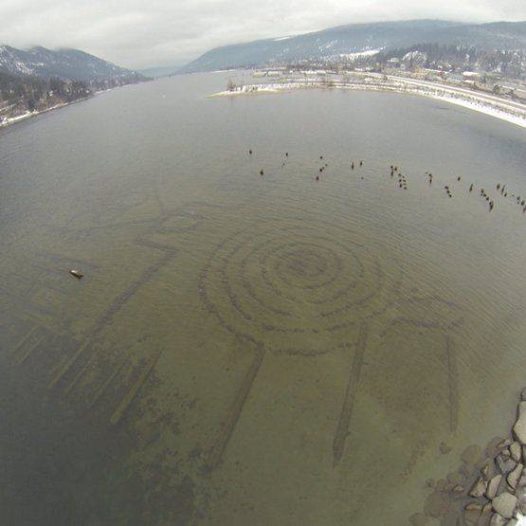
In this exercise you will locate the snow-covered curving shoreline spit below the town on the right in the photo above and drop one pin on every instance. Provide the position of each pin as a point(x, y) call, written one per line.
point(500, 108)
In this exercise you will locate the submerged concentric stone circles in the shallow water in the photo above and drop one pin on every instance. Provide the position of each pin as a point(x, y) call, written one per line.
point(296, 286)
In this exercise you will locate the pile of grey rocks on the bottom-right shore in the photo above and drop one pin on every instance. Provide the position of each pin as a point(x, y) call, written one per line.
point(489, 489)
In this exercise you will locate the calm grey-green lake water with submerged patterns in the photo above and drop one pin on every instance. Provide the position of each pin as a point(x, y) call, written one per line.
point(246, 348)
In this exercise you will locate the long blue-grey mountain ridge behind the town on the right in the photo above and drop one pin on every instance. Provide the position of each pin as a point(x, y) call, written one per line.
point(355, 38)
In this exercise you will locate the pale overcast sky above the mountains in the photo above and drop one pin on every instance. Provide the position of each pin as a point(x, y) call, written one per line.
point(142, 33)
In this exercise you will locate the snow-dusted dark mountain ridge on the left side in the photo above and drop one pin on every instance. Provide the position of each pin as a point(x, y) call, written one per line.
point(65, 64)
